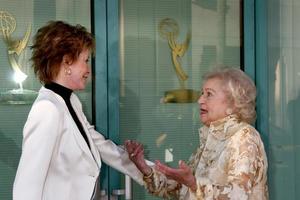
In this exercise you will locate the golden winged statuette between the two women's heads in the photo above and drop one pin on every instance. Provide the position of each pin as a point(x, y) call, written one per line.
point(169, 30)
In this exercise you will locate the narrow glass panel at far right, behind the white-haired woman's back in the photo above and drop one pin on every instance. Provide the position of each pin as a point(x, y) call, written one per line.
point(284, 101)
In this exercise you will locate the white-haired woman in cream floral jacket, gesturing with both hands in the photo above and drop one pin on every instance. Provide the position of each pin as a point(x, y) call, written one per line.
point(230, 162)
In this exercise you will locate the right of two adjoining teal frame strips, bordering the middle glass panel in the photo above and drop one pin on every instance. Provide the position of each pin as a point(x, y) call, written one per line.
point(113, 83)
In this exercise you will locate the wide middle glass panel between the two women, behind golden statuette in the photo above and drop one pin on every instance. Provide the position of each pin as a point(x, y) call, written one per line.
point(151, 32)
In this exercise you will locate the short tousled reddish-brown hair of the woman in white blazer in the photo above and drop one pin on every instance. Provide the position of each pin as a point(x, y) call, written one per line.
point(55, 40)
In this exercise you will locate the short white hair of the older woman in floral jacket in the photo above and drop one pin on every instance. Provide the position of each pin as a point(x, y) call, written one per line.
point(239, 89)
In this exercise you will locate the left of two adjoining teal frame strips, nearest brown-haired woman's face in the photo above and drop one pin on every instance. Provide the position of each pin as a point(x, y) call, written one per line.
point(100, 99)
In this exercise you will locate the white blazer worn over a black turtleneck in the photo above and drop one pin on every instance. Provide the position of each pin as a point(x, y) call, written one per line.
point(56, 163)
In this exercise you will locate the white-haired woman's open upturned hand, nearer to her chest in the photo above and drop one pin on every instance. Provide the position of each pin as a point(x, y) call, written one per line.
point(183, 174)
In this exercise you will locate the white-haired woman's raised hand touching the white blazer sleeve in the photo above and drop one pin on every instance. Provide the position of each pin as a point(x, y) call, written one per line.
point(136, 155)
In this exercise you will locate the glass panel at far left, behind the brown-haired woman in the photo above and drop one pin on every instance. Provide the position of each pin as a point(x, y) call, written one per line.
point(13, 113)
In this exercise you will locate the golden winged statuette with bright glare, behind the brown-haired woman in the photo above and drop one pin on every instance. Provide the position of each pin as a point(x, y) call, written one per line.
point(15, 48)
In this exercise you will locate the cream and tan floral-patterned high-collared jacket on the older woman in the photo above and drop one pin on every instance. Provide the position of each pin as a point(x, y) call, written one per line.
point(230, 163)
